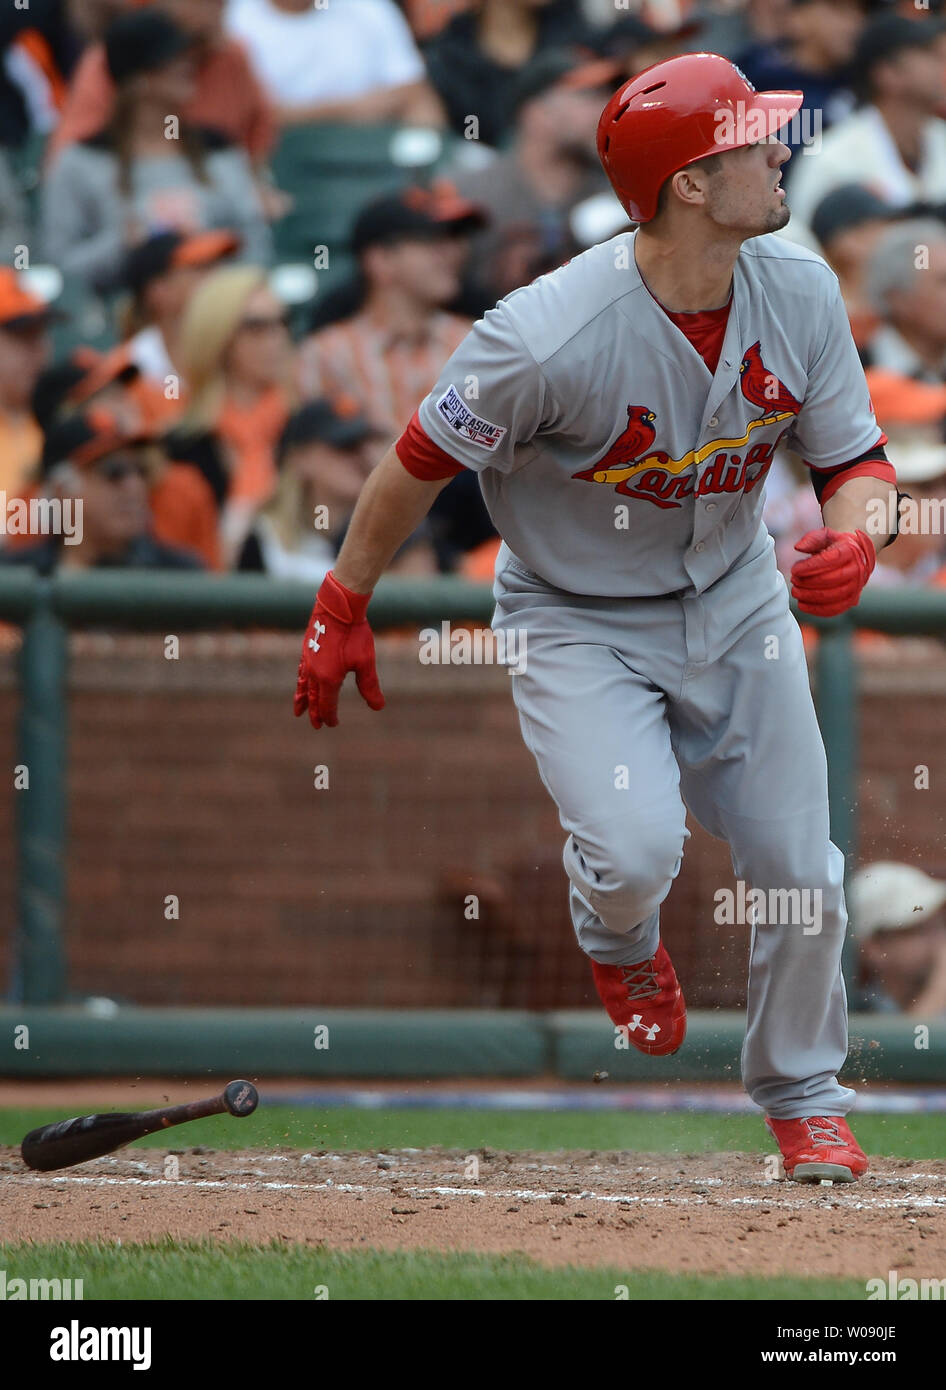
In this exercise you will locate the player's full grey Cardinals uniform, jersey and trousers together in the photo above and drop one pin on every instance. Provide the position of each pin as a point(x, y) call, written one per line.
point(663, 671)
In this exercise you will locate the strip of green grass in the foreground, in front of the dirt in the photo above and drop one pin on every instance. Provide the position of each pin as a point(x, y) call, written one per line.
point(202, 1270)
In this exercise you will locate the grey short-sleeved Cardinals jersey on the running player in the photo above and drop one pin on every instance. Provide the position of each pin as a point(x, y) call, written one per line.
point(612, 461)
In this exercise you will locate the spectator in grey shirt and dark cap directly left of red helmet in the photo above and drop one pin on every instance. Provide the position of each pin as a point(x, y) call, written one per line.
point(551, 167)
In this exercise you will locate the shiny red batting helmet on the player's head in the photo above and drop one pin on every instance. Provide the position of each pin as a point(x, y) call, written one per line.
point(676, 113)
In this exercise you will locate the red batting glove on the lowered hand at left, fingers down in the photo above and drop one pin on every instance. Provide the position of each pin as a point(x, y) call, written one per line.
point(338, 640)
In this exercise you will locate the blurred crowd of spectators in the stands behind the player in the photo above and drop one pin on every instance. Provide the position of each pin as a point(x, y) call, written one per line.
point(216, 398)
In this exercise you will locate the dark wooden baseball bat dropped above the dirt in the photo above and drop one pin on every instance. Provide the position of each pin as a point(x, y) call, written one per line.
point(91, 1136)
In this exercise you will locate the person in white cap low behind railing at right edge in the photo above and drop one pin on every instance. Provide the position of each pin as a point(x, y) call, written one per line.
point(901, 932)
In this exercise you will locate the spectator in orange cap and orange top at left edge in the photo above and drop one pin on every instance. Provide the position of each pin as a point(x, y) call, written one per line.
point(24, 354)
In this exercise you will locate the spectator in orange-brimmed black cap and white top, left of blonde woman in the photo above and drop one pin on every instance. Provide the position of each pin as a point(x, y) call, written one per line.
point(162, 275)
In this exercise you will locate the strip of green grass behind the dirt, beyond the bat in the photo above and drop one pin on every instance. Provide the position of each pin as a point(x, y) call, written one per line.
point(348, 1128)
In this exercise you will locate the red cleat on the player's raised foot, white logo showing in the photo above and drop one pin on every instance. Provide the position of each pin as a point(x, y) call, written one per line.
point(647, 1000)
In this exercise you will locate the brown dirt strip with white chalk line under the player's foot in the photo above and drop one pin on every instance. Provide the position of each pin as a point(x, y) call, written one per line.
point(713, 1214)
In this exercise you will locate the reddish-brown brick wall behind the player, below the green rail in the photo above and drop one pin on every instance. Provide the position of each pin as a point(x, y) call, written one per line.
point(192, 779)
